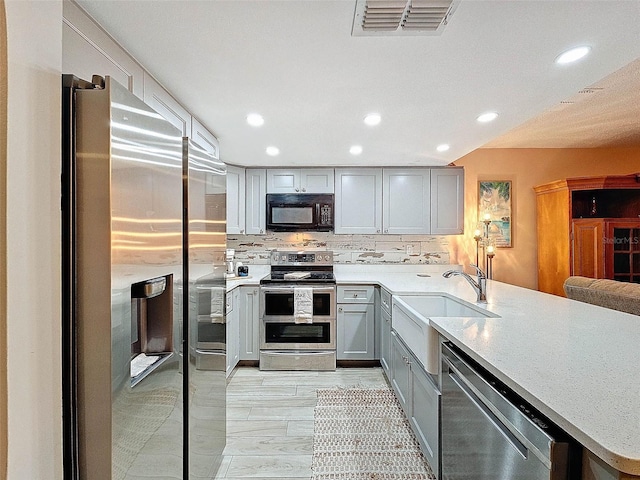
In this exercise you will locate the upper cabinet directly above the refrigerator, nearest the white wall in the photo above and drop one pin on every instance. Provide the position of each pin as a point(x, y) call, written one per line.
point(87, 50)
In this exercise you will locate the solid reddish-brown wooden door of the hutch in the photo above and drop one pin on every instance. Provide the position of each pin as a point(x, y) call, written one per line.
point(588, 248)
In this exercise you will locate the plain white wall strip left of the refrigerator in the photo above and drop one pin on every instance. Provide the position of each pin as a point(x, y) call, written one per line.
point(33, 224)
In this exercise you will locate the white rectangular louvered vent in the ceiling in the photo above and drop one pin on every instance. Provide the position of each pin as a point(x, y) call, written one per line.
point(401, 17)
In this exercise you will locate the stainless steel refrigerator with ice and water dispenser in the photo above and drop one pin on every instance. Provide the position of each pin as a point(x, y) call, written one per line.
point(143, 223)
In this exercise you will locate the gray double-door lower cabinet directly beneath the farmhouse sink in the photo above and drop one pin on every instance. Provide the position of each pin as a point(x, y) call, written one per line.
point(419, 397)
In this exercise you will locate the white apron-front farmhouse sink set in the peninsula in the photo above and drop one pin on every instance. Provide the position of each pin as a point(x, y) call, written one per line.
point(410, 319)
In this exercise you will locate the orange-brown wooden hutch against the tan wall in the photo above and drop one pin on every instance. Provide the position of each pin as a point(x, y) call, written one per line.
point(588, 226)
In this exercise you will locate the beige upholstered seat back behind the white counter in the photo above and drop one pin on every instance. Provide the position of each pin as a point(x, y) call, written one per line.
point(621, 296)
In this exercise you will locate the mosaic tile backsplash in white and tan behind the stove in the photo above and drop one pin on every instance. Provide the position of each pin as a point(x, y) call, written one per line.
point(347, 249)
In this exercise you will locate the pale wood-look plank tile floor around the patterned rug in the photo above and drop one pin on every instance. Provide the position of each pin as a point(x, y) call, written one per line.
point(270, 420)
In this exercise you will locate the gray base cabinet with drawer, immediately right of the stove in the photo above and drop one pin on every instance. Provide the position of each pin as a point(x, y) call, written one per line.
point(355, 322)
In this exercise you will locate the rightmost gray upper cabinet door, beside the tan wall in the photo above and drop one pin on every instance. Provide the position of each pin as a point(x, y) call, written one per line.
point(447, 201)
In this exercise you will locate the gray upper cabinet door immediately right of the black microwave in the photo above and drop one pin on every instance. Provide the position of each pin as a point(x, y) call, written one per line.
point(358, 201)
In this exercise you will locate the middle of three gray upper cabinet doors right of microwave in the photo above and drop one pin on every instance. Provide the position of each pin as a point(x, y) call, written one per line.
point(406, 201)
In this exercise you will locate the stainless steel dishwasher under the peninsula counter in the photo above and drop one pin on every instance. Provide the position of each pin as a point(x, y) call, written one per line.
point(488, 432)
